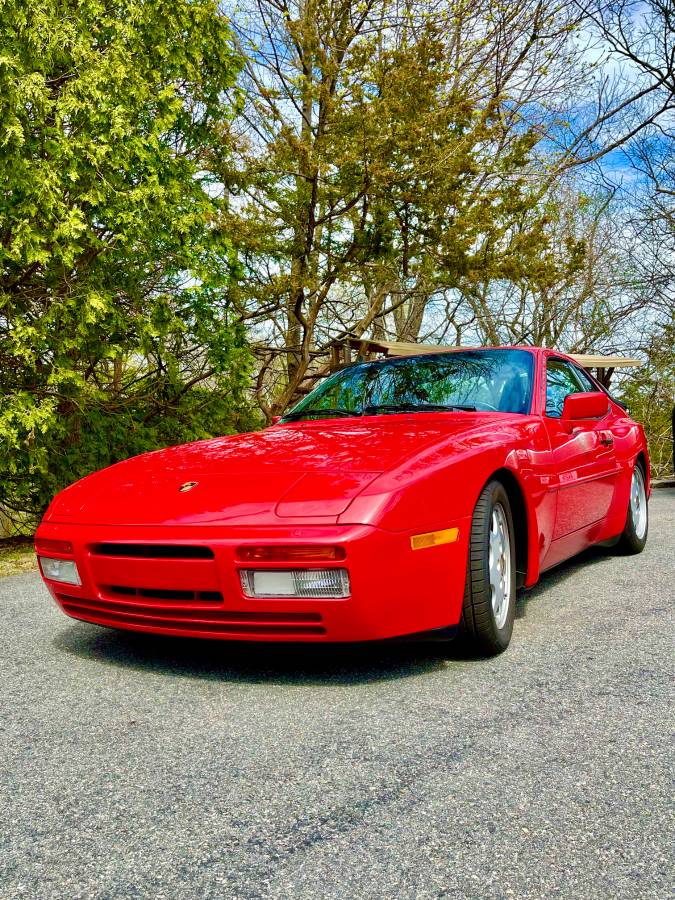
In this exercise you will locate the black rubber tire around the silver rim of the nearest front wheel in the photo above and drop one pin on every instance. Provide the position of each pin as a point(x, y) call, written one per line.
point(479, 628)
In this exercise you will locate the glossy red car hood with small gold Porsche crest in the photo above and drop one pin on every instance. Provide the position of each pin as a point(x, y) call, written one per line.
point(293, 471)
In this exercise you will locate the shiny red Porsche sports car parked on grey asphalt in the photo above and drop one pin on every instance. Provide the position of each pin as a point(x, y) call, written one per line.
point(405, 495)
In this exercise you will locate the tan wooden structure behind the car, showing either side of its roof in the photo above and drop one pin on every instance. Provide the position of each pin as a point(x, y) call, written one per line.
point(349, 350)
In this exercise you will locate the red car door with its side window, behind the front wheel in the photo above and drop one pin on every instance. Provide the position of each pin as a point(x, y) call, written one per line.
point(583, 454)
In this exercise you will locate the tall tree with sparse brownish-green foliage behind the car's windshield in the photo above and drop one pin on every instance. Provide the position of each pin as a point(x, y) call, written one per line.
point(386, 170)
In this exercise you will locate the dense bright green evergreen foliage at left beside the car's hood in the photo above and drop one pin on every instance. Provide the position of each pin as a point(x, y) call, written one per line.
point(115, 336)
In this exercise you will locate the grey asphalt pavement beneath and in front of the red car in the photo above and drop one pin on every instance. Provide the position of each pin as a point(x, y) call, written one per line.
point(134, 766)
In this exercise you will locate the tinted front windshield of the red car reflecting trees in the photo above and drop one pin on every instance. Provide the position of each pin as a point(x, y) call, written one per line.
point(498, 380)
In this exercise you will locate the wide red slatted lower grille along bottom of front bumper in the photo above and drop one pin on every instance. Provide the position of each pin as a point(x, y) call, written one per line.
point(213, 622)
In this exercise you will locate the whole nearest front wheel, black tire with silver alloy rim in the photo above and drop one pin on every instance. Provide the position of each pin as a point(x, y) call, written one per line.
point(489, 602)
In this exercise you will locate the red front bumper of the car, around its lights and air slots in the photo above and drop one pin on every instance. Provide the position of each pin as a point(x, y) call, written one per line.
point(394, 590)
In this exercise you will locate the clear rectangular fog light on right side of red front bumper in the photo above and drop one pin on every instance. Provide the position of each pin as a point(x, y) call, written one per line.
point(303, 583)
